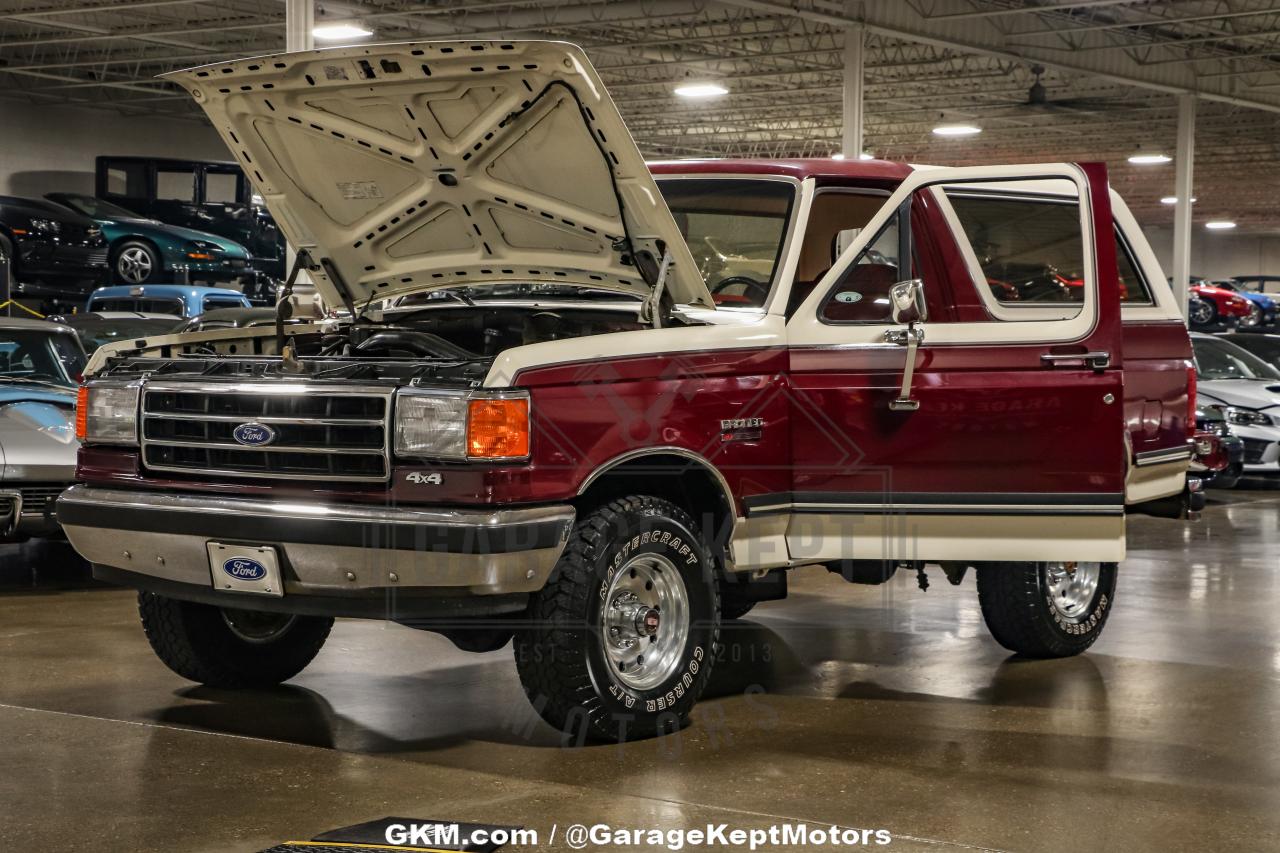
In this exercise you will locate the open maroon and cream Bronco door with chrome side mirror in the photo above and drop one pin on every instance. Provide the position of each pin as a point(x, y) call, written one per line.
point(1017, 450)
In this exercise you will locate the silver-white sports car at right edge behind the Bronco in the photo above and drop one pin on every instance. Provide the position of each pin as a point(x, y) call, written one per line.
point(1249, 390)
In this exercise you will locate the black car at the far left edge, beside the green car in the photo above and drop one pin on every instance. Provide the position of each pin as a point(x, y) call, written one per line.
point(57, 254)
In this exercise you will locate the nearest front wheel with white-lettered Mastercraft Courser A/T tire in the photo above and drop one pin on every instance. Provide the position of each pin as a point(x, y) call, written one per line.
point(634, 581)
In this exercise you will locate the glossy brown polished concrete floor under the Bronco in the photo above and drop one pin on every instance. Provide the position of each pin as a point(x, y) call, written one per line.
point(866, 708)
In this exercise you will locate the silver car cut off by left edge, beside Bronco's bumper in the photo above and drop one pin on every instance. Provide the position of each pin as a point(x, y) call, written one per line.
point(40, 367)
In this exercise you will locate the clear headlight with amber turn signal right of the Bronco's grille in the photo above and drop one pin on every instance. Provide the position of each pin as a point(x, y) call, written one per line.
point(463, 427)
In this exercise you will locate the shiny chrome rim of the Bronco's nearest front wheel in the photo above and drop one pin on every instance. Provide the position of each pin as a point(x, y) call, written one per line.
point(644, 622)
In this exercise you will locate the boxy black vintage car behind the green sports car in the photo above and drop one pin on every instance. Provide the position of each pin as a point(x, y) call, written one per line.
point(203, 195)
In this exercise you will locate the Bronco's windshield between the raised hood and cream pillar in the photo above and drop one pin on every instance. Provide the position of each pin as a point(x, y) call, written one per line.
point(735, 229)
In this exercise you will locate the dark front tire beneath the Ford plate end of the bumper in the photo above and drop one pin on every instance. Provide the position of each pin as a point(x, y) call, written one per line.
point(230, 649)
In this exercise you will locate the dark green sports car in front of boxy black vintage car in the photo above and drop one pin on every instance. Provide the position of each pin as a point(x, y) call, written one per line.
point(145, 252)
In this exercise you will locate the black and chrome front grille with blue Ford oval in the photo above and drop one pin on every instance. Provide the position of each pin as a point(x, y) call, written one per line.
point(319, 434)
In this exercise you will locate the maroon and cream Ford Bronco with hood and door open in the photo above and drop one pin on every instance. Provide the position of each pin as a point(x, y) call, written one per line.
point(600, 407)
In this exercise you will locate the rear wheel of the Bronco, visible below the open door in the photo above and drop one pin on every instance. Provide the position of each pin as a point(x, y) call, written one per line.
point(1026, 605)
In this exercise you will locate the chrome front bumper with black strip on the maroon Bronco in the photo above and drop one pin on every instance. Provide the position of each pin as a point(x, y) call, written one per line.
point(326, 550)
